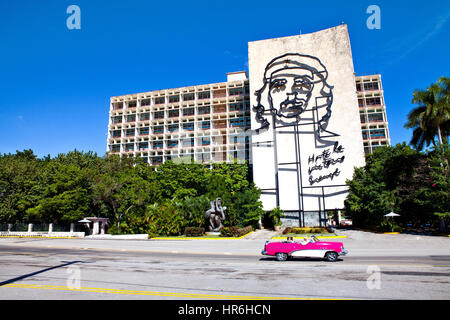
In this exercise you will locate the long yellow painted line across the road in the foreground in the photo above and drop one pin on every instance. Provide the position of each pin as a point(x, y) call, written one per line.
point(155, 293)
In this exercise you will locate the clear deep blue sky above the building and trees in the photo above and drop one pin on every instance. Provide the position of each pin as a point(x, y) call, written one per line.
point(55, 83)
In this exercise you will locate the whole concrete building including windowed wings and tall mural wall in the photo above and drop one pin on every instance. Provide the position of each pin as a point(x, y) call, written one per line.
point(301, 118)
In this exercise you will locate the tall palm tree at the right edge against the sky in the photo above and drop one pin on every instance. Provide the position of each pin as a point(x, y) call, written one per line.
point(432, 116)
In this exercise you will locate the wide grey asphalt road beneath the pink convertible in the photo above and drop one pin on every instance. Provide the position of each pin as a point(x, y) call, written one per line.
point(114, 269)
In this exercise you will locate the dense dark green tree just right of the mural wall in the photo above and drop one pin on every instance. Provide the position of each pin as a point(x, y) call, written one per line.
point(392, 179)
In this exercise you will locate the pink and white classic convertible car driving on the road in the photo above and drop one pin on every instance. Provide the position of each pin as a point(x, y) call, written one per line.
point(312, 248)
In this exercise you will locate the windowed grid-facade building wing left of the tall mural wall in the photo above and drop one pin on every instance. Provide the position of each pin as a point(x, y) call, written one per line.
point(202, 123)
